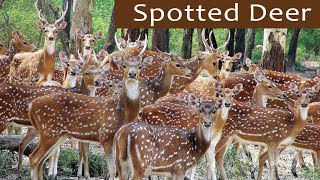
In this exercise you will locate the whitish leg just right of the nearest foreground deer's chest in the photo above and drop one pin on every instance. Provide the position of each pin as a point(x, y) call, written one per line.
point(211, 162)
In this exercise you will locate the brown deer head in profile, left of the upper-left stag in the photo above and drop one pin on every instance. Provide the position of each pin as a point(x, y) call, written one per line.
point(20, 44)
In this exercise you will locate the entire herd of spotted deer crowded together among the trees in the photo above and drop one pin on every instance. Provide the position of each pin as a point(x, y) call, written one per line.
point(151, 111)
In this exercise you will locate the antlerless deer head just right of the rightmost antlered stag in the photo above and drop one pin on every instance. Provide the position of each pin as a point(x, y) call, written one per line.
point(227, 64)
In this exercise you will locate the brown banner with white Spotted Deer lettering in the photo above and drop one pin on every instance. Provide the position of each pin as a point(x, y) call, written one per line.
point(217, 13)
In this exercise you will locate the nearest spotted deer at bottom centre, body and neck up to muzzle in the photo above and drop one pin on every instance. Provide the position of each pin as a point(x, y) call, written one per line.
point(145, 149)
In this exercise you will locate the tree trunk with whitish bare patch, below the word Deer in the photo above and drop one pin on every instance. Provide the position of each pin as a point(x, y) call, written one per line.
point(274, 43)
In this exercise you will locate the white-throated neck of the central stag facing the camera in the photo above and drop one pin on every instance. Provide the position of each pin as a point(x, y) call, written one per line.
point(130, 100)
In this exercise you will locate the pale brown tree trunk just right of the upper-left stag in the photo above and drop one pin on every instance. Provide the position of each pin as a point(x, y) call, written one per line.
point(81, 18)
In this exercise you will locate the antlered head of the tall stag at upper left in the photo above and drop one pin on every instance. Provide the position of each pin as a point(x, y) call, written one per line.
point(51, 30)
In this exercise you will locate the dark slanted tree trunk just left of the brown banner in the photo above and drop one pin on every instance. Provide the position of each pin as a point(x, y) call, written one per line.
point(110, 43)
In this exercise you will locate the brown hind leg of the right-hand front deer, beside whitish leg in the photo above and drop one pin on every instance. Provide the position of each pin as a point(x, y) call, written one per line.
point(222, 148)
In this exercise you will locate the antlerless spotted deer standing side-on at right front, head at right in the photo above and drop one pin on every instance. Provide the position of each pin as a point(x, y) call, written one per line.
point(270, 127)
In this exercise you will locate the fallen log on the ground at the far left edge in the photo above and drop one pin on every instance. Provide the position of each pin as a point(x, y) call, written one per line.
point(11, 143)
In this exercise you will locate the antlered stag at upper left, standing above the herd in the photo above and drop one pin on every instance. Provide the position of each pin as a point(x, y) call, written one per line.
point(40, 63)
